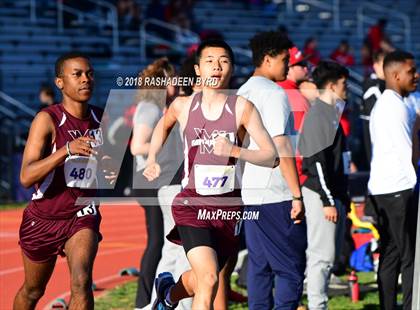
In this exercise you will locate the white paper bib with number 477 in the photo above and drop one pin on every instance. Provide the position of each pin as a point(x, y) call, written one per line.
point(214, 179)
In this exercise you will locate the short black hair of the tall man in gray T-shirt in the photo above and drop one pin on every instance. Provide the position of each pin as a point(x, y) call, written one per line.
point(269, 43)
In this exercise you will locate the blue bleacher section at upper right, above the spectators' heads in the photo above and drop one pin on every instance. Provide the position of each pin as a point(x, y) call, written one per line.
point(307, 18)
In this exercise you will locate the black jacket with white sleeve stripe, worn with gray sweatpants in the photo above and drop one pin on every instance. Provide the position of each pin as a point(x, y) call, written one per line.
point(323, 147)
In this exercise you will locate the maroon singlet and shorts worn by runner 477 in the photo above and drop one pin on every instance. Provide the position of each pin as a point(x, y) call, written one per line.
point(198, 137)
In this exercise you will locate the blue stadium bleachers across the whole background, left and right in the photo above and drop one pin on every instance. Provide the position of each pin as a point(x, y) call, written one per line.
point(31, 38)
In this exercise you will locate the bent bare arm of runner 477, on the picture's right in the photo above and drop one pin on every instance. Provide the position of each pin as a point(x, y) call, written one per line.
point(250, 118)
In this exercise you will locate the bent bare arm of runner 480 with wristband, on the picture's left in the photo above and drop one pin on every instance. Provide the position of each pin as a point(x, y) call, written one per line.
point(34, 166)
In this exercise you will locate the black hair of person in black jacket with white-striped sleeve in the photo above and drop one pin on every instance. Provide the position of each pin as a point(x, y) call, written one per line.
point(328, 71)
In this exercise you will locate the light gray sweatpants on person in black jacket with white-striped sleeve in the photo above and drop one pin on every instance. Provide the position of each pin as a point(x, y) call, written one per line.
point(324, 242)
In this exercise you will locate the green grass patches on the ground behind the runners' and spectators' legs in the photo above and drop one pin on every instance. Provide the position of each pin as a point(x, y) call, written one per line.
point(122, 297)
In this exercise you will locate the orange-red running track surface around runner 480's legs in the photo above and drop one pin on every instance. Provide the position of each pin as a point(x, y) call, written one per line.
point(124, 240)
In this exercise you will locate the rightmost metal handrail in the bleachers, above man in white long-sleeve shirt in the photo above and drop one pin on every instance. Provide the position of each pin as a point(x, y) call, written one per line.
point(362, 19)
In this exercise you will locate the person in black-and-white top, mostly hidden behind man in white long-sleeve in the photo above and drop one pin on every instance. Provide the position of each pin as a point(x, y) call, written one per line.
point(373, 87)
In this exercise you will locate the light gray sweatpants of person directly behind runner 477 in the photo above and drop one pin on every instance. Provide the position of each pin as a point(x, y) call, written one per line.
point(173, 258)
